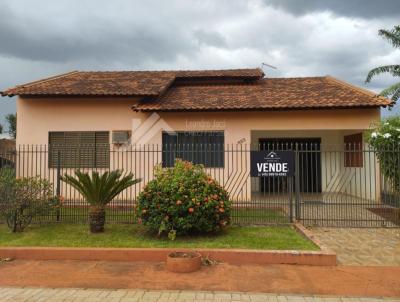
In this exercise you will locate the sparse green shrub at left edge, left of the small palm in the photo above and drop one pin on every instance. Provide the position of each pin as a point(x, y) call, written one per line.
point(24, 198)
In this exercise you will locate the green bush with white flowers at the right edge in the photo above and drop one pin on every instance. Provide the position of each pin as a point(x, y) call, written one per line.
point(384, 137)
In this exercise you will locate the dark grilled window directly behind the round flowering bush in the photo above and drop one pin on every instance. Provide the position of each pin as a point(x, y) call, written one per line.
point(203, 147)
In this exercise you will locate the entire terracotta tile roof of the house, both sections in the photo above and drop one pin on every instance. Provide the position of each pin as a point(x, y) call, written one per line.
point(192, 90)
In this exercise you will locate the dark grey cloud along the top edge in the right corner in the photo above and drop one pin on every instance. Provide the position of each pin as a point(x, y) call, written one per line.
point(354, 8)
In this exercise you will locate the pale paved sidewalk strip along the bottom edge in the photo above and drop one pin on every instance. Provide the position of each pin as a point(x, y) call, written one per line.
point(122, 295)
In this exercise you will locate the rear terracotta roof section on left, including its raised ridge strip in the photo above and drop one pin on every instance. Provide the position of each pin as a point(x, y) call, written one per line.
point(124, 83)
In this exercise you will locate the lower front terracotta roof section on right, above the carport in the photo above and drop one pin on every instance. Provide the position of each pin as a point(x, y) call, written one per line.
point(269, 93)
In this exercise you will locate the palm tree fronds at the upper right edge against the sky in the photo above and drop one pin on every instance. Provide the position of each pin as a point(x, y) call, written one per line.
point(393, 36)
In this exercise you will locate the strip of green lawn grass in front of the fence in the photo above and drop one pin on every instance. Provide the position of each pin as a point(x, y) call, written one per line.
point(133, 235)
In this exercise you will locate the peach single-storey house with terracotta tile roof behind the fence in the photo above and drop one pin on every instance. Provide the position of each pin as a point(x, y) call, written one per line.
point(78, 114)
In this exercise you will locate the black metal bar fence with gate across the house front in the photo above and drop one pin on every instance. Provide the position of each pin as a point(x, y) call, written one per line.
point(338, 186)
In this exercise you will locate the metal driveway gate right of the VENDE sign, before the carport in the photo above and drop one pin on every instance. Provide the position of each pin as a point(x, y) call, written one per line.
point(355, 192)
